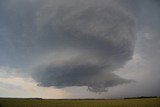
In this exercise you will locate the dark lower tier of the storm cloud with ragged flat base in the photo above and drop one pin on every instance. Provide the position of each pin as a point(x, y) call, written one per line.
point(78, 71)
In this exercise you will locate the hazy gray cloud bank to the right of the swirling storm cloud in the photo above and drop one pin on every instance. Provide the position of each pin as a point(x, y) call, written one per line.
point(147, 46)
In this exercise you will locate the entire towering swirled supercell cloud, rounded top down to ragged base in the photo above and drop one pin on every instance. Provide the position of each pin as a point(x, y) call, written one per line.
point(92, 39)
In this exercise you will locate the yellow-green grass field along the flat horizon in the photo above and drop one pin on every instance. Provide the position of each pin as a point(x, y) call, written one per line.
point(148, 102)
